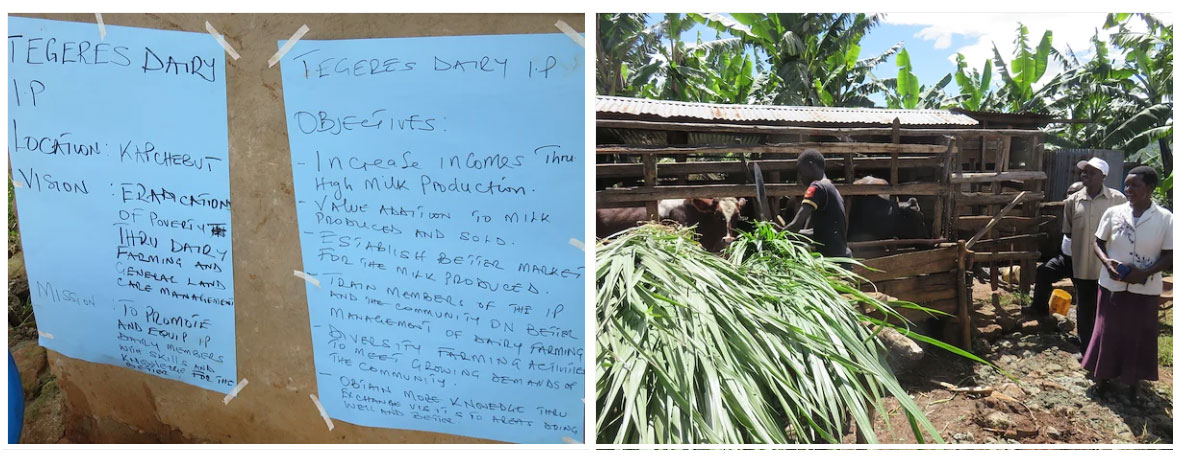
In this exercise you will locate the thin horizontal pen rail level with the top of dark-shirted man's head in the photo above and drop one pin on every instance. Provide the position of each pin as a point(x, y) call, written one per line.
point(777, 149)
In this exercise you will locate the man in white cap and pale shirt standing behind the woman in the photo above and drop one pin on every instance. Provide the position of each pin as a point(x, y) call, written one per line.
point(1083, 212)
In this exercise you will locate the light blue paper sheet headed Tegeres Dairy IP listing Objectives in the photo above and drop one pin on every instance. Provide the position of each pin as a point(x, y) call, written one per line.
point(438, 184)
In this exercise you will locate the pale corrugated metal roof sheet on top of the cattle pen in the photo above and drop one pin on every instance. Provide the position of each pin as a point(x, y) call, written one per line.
point(709, 112)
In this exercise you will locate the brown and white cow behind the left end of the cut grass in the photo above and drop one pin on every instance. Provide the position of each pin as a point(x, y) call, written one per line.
point(714, 219)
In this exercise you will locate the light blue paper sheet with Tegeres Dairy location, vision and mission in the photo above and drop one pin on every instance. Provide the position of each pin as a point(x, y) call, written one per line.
point(120, 160)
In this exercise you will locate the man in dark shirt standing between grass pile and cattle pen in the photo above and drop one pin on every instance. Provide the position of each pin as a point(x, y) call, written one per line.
point(823, 205)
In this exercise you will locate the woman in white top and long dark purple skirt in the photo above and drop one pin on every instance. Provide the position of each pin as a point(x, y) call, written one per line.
point(1135, 245)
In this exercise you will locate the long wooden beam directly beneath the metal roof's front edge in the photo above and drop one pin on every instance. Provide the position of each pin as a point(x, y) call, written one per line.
point(801, 131)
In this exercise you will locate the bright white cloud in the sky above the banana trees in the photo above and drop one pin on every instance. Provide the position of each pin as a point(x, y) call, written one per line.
point(982, 32)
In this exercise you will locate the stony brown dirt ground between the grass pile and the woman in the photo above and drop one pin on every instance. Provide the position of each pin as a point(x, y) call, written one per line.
point(1049, 400)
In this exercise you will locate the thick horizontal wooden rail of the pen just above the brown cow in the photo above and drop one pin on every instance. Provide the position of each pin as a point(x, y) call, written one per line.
point(609, 197)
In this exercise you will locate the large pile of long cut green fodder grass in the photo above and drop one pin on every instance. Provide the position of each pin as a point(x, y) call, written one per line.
point(767, 347)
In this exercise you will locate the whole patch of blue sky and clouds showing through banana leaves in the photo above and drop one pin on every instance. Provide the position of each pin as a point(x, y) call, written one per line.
point(934, 39)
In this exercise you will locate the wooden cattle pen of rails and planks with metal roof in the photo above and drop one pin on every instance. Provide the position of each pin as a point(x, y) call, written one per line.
point(962, 174)
